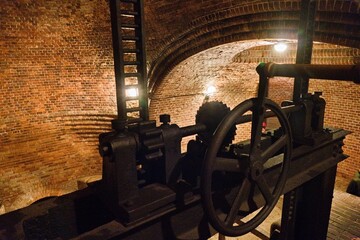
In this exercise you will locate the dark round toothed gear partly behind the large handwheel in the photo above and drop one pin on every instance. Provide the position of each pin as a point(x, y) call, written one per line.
point(211, 114)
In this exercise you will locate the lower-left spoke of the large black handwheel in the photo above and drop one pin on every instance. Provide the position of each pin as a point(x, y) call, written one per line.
point(240, 197)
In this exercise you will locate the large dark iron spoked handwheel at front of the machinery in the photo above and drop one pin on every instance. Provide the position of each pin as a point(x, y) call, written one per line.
point(240, 190)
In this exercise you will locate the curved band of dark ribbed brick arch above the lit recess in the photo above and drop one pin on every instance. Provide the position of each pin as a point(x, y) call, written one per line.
point(337, 22)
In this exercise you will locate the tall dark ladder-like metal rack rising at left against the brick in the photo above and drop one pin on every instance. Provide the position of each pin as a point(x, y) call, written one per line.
point(129, 62)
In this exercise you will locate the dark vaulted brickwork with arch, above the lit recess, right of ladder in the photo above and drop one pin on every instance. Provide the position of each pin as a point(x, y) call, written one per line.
point(176, 30)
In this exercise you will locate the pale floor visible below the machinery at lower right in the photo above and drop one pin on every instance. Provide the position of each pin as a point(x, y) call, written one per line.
point(344, 219)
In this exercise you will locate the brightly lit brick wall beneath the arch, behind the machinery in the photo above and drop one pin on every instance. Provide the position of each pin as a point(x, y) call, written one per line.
point(235, 79)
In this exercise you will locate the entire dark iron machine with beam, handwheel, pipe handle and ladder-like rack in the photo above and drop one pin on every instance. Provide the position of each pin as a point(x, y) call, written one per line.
point(151, 190)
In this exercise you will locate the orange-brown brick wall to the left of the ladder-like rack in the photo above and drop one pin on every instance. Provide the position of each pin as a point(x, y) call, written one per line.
point(57, 95)
